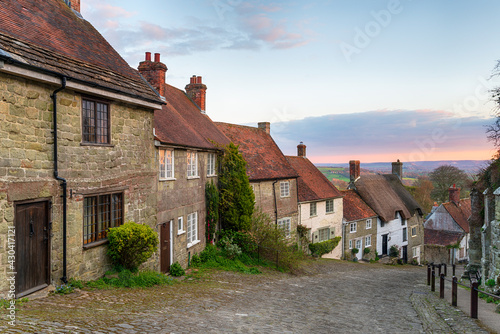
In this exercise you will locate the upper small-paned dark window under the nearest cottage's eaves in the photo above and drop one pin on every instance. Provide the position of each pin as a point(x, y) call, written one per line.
point(95, 122)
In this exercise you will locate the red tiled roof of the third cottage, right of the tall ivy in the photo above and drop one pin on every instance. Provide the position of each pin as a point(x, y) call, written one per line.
point(265, 161)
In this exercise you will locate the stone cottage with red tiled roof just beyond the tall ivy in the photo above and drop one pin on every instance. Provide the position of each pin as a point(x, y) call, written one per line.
point(273, 179)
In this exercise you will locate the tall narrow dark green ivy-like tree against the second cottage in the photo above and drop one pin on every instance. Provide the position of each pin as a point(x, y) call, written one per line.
point(236, 196)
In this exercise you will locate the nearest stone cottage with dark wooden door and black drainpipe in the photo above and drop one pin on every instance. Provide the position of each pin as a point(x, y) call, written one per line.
point(77, 151)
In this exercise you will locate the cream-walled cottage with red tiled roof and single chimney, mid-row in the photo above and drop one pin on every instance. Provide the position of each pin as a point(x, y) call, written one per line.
point(320, 202)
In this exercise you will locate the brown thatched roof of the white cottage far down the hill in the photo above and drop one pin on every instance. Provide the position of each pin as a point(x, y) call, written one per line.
point(379, 194)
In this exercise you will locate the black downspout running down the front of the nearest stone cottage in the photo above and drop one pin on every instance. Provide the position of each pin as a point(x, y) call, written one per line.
point(63, 184)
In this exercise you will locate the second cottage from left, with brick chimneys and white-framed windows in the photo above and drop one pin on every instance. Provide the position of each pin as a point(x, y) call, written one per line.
point(187, 145)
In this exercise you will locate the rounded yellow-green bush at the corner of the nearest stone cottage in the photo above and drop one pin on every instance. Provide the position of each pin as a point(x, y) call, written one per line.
point(131, 244)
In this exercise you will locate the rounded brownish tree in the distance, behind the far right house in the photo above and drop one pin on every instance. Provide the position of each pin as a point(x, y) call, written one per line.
point(443, 178)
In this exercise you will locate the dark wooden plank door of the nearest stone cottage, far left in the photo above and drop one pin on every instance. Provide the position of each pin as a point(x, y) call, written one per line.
point(32, 247)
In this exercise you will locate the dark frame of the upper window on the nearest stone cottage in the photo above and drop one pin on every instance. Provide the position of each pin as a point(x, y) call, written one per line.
point(94, 118)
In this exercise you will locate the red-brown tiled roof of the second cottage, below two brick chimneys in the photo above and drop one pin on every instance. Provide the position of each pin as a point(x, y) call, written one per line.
point(180, 122)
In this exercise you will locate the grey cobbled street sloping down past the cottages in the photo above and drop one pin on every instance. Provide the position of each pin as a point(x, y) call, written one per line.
point(327, 297)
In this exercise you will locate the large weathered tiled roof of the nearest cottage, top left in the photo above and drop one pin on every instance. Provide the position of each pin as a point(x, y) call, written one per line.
point(50, 36)
